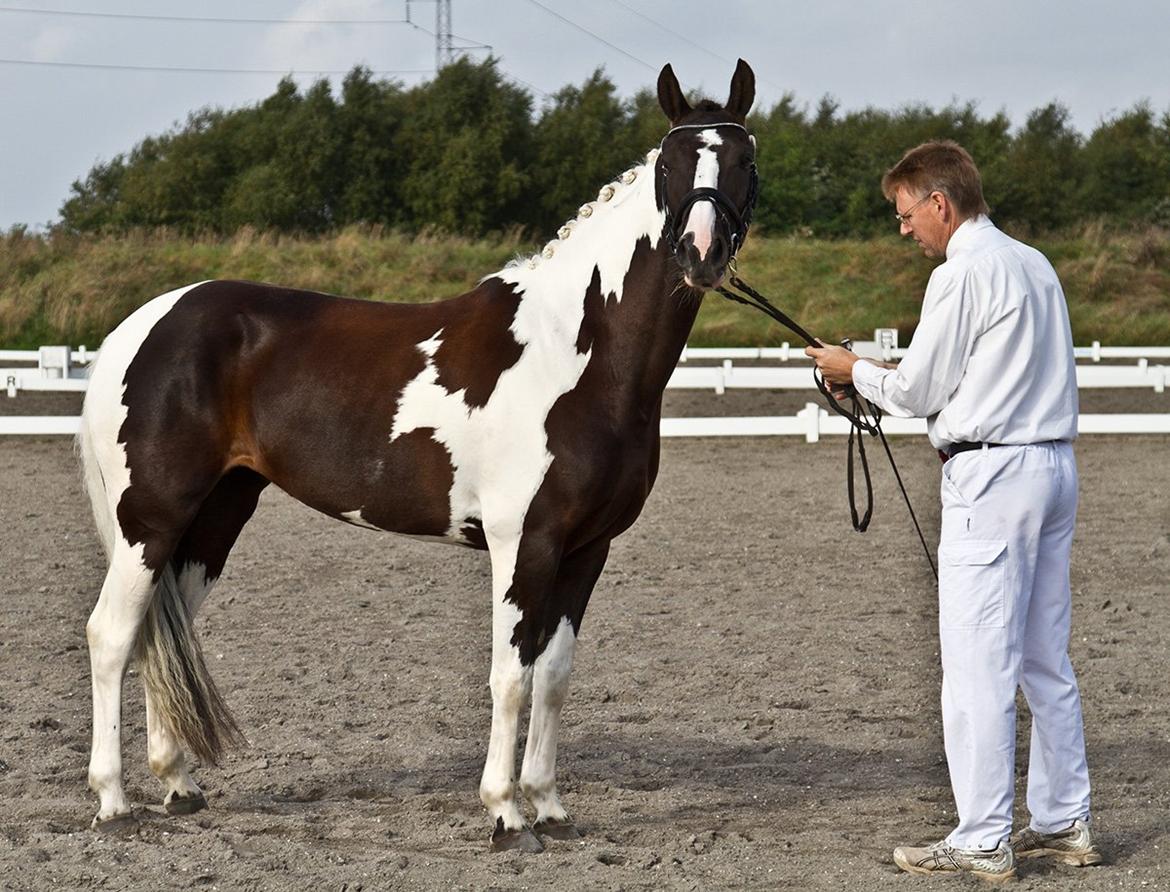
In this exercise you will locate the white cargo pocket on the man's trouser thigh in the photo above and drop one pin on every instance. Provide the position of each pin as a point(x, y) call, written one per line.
point(972, 584)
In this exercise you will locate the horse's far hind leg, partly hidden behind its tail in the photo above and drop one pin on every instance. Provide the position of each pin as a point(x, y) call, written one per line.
point(195, 568)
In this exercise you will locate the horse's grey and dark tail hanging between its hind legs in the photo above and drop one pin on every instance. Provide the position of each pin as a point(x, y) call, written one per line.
point(173, 667)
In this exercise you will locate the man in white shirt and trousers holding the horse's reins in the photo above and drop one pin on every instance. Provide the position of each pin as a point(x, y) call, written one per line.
point(992, 369)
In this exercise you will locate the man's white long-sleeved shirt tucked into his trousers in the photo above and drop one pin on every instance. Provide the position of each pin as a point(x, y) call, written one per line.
point(992, 360)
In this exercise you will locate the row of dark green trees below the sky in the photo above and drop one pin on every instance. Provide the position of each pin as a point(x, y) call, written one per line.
point(469, 153)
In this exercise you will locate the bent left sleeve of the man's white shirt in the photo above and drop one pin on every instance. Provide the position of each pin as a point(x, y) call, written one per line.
point(937, 360)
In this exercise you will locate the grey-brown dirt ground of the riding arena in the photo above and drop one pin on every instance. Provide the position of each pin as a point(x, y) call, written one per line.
point(755, 702)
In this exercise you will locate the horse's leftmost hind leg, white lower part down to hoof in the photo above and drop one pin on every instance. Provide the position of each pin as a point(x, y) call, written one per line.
point(112, 633)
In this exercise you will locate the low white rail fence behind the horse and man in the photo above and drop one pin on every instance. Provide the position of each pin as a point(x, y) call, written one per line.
point(61, 369)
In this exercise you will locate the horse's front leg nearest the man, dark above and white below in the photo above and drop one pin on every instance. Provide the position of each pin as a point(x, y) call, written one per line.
point(575, 581)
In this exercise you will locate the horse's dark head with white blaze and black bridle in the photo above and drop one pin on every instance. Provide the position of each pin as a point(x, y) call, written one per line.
point(707, 177)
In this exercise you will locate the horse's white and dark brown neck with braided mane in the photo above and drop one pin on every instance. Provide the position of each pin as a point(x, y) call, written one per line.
point(607, 284)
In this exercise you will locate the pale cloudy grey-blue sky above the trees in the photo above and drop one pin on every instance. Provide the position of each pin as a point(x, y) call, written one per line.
point(88, 99)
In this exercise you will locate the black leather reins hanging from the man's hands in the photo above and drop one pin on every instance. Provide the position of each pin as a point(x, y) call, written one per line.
point(864, 417)
